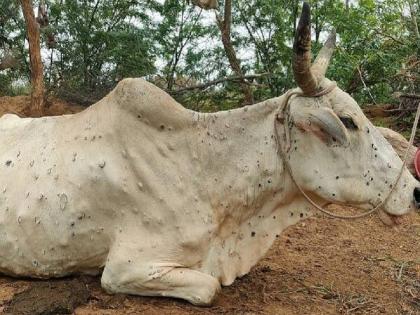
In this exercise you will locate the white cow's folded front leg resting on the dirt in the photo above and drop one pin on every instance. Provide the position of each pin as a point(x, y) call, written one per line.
point(159, 279)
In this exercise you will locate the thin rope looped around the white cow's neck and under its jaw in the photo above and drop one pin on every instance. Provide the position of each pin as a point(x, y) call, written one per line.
point(327, 90)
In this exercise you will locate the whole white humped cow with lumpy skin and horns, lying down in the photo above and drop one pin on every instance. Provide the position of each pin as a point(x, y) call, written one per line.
point(165, 201)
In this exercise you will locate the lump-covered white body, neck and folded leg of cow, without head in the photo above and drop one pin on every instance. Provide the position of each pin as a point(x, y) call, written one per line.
point(168, 201)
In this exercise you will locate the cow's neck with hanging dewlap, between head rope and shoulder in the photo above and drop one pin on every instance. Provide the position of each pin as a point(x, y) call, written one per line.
point(251, 196)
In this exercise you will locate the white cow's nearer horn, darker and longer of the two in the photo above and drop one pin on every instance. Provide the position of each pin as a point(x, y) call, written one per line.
point(304, 77)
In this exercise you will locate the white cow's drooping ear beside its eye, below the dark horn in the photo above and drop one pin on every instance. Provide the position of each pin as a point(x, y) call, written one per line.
point(323, 123)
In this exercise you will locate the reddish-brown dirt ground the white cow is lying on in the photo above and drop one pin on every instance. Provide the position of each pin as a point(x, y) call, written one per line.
point(319, 266)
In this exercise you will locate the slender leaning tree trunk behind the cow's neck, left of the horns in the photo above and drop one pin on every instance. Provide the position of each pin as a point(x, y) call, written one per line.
point(225, 28)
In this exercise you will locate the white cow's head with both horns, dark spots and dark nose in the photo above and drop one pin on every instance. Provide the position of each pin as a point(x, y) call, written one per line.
point(334, 150)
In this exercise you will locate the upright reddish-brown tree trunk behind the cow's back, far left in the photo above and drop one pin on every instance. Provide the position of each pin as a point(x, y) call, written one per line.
point(37, 75)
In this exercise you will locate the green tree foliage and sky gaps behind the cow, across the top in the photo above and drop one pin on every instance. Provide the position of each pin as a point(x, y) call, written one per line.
point(177, 45)
